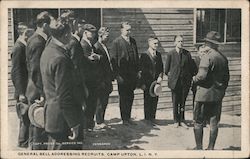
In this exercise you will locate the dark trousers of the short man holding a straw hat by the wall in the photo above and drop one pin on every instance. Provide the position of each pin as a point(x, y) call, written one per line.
point(150, 105)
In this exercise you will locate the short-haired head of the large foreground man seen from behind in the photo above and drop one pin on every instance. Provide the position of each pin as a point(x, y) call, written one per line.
point(59, 28)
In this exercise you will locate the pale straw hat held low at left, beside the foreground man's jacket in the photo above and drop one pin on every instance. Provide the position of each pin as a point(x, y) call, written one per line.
point(36, 115)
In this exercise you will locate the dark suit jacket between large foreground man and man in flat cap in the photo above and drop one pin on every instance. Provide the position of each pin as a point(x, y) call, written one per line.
point(76, 56)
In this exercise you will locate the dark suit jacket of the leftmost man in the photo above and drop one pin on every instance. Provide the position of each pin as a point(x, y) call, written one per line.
point(19, 72)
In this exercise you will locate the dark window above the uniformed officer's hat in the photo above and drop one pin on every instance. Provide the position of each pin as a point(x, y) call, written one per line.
point(225, 21)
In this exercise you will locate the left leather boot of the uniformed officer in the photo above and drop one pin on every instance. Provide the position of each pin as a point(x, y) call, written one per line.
point(198, 134)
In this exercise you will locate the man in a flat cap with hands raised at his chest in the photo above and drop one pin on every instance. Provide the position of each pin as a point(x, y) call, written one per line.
point(91, 68)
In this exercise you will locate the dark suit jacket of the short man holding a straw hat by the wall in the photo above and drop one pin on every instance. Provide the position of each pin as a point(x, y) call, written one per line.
point(151, 67)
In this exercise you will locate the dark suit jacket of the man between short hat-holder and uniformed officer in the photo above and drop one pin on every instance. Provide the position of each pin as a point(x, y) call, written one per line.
point(179, 68)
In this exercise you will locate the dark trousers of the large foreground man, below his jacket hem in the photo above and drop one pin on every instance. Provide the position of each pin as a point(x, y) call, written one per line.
point(60, 141)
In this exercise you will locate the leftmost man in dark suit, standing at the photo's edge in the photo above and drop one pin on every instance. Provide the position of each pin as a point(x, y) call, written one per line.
point(19, 76)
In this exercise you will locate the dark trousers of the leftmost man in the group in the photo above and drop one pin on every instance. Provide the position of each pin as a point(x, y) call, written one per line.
point(23, 136)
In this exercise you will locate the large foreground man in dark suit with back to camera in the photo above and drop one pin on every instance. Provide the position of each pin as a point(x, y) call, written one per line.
point(63, 113)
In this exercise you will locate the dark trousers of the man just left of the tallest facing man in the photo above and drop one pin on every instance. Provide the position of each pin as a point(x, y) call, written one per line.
point(101, 107)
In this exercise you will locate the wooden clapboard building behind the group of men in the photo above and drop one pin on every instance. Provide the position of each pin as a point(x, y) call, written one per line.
point(193, 24)
